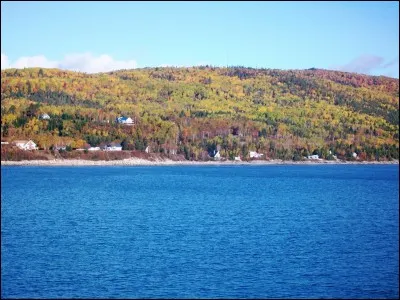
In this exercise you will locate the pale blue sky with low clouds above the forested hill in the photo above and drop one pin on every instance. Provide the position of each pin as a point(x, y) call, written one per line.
point(91, 37)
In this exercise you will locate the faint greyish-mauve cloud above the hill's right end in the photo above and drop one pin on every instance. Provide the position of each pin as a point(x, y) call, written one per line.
point(366, 64)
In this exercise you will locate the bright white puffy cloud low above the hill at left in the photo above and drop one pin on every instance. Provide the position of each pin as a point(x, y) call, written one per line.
point(83, 62)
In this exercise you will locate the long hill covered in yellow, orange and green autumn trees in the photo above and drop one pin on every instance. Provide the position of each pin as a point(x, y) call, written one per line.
point(194, 111)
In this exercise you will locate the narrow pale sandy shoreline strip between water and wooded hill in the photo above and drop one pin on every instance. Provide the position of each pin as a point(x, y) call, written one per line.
point(167, 162)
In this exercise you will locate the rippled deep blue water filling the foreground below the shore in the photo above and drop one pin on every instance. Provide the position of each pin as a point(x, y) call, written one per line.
point(325, 231)
